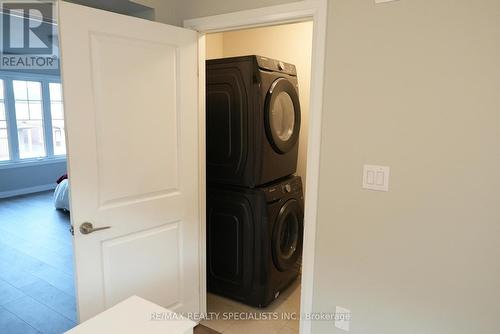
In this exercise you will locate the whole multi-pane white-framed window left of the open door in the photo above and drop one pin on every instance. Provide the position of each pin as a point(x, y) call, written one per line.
point(31, 119)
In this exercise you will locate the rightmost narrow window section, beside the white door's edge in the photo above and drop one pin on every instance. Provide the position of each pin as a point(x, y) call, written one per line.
point(57, 113)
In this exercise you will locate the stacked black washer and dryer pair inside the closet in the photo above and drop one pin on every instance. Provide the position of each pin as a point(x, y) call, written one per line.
point(255, 205)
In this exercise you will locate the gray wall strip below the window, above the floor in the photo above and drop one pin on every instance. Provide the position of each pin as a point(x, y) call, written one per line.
point(28, 178)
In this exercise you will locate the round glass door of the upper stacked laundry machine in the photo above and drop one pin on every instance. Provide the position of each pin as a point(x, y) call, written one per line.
point(282, 115)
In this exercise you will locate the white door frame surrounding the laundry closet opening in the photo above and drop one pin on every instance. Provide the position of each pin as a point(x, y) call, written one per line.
point(308, 10)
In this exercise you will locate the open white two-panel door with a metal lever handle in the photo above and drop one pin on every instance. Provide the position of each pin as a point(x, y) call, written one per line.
point(130, 94)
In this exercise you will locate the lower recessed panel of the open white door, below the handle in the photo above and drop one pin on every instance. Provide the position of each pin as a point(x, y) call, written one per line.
point(133, 250)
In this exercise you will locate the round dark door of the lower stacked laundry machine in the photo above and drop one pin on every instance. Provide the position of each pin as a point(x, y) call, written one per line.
point(287, 235)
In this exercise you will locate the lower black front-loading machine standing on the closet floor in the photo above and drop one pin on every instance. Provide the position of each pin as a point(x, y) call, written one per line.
point(254, 240)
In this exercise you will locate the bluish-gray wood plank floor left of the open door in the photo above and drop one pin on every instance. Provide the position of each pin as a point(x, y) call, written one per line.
point(37, 292)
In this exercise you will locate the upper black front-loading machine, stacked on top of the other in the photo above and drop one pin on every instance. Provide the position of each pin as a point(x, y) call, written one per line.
point(253, 120)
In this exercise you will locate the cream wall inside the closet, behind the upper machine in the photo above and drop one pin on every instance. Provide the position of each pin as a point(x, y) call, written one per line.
point(291, 43)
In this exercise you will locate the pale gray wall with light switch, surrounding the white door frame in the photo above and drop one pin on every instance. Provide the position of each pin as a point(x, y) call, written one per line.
point(412, 84)
